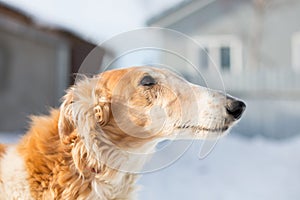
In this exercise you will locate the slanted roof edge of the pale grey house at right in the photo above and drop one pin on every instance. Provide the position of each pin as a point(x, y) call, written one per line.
point(178, 12)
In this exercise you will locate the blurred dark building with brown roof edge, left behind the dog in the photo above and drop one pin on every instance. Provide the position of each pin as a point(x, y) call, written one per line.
point(36, 66)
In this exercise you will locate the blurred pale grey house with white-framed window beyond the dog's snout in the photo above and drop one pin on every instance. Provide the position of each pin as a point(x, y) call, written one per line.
point(255, 44)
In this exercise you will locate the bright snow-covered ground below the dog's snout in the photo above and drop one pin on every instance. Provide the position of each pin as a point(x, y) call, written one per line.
point(236, 169)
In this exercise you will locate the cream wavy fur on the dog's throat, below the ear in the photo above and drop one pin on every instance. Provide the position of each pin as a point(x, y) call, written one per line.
point(110, 171)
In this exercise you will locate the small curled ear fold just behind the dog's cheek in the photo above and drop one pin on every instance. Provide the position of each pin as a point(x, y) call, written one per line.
point(102, 107)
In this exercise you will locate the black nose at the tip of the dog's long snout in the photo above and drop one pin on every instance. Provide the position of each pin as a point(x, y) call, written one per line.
point(234, 107)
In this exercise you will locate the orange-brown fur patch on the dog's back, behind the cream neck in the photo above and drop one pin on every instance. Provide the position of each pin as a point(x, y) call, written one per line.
point(47, 160)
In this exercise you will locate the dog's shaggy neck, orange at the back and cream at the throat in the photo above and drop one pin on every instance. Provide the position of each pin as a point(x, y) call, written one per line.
point(67, 169)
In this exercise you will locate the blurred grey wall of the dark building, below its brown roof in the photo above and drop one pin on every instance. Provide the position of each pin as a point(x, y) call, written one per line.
point(34, 73)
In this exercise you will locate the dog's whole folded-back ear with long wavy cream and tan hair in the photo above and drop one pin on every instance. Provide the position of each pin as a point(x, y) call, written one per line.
point(83, 108)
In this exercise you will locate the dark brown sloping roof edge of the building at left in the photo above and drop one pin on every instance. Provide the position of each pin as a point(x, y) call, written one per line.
point(26, 19)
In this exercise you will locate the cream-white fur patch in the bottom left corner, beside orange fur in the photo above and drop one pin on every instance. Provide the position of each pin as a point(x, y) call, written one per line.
point(14, 176)
